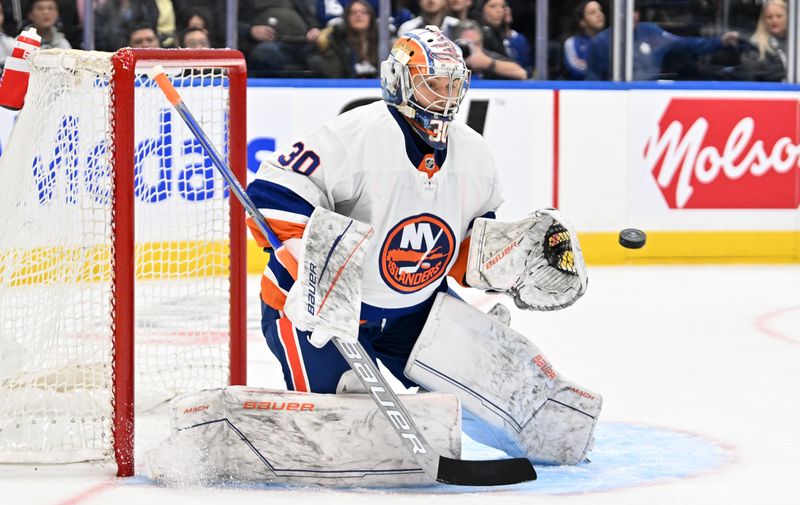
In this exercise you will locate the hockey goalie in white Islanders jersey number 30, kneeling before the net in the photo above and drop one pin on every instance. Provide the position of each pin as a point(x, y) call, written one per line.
point(375, 209)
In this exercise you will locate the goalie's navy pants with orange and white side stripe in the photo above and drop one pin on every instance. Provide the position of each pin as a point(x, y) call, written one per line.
point(307, 368)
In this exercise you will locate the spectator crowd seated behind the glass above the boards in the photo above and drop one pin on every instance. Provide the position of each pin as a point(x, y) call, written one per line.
point(339, 38)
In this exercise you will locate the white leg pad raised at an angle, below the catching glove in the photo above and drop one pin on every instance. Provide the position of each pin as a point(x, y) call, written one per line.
point(504, 381)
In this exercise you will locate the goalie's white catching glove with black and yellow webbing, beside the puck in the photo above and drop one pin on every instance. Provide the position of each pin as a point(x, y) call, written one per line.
point(537, 261)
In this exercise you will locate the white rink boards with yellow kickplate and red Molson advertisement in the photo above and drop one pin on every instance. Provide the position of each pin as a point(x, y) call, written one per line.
point(708, 170)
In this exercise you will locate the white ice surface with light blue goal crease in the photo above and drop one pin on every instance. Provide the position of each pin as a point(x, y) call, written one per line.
point(699, 367)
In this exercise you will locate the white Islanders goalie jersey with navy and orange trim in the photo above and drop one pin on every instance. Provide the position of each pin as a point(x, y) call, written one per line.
point(365, 165)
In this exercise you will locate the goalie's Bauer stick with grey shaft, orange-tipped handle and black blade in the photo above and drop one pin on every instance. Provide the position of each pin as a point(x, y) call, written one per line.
point(441, 468)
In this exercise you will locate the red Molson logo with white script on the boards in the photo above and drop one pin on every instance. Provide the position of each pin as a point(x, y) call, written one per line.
point(727, 154)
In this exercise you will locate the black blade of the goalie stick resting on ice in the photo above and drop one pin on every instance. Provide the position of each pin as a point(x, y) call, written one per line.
point(498, 472)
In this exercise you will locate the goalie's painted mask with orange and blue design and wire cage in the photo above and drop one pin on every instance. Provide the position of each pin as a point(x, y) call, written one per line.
point(425, 78)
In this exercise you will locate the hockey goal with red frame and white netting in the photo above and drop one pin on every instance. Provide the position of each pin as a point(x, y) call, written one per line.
point(83, 275)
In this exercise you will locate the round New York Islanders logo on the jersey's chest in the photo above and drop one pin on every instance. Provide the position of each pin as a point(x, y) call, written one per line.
point(416, 253)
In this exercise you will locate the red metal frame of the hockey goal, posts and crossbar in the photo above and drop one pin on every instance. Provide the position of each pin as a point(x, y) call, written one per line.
point(127, 63)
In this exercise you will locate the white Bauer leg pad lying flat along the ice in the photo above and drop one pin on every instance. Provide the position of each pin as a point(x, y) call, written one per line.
point(259, 435)
